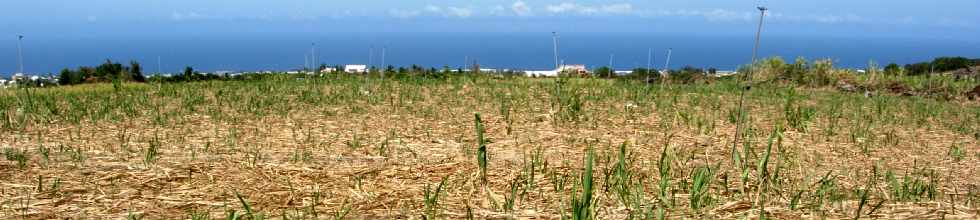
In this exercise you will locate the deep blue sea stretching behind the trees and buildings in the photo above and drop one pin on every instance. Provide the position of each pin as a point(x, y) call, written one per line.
point(256, 52)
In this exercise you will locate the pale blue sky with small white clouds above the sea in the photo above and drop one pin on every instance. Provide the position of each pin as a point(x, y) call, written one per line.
point(951, 19)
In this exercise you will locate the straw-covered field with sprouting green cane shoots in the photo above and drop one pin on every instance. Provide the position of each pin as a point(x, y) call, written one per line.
point(347, 147)
